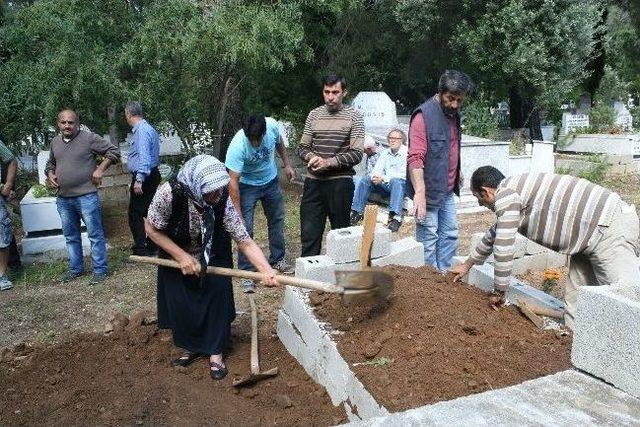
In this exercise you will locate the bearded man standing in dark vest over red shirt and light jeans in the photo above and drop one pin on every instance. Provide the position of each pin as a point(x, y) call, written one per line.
point(433, 166)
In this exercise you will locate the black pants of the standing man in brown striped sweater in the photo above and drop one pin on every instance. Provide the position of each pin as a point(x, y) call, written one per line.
point(321, 199)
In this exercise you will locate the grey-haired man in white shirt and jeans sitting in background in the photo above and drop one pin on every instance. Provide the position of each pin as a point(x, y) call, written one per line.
point(387, 178)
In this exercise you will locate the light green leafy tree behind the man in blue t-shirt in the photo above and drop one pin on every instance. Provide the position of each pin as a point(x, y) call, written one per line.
point(189, 61)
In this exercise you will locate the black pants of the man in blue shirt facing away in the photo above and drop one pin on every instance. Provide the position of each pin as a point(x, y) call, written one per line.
point(138, 207)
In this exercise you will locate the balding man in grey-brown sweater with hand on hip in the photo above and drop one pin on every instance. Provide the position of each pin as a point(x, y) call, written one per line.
point(72, 169)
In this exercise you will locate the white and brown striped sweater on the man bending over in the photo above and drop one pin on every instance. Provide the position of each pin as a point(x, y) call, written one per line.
point(560, 212)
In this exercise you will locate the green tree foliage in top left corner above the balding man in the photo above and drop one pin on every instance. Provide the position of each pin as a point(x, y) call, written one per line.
point(61, 53)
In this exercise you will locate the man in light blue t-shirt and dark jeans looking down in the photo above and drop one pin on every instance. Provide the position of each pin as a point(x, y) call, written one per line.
point(254, 177)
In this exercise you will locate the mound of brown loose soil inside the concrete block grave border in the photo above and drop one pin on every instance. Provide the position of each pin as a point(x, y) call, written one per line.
point(437, 340)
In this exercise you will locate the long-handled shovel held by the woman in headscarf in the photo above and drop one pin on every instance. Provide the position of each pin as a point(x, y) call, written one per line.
point(362, 286)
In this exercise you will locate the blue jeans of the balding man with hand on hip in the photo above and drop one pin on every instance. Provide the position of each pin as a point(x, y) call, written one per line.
point(87, 207)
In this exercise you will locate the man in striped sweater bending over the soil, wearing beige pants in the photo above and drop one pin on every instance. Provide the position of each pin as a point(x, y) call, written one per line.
point(565, 214)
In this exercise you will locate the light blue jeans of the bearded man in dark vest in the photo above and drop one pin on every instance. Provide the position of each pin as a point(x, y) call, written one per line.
point(438, 232)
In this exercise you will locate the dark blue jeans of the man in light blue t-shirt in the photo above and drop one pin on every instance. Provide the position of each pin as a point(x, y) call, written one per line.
point(273, 206)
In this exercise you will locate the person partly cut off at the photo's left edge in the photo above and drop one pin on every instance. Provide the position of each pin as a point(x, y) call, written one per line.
point(6, 231)
